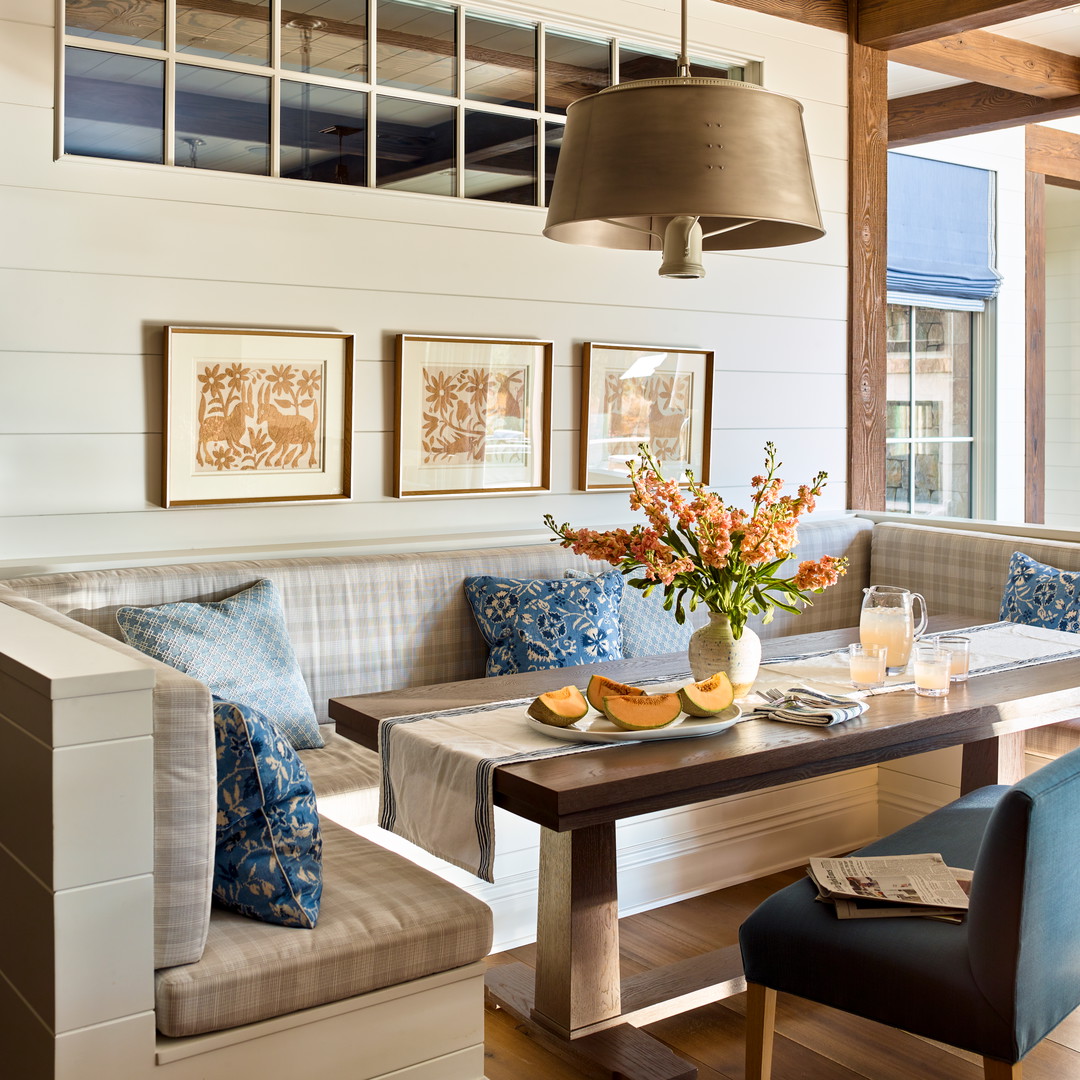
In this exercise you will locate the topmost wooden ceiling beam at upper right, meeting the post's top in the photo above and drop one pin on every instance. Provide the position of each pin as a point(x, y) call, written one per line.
point(894, 24)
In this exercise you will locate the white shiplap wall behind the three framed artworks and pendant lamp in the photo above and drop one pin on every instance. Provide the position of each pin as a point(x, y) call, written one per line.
point(97, 258)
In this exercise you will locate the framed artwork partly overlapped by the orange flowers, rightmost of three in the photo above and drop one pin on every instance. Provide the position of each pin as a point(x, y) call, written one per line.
point(633, 395)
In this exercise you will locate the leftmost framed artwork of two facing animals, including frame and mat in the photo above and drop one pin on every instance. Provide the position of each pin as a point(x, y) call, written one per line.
point(256, 416)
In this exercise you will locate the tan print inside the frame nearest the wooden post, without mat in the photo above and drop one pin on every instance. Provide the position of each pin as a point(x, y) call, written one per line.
point(654, 410)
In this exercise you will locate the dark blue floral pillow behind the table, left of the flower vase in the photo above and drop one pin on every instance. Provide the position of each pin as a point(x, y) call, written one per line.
point(534, 625)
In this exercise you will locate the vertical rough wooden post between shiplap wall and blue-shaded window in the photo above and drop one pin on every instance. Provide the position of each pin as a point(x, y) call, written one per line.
point(868, 180)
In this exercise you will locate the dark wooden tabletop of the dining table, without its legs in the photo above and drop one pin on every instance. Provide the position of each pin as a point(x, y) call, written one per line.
point(573, 791)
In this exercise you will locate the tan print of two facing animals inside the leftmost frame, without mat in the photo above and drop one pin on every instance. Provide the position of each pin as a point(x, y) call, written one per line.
point(260, 417)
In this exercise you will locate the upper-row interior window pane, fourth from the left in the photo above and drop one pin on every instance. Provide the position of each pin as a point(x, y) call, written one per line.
point(416, 47)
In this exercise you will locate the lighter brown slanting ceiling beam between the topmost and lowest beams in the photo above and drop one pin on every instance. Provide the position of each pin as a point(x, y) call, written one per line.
point(996, 61)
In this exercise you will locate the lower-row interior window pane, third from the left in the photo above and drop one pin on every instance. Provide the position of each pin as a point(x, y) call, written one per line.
point(323, 134)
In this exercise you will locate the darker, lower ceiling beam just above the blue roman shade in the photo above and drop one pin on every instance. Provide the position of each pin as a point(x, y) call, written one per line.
point(968, 110)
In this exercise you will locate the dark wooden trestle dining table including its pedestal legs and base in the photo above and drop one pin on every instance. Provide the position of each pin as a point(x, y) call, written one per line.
point(574, 1001)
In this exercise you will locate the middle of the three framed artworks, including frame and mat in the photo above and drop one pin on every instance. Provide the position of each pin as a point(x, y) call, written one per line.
point(474, 416)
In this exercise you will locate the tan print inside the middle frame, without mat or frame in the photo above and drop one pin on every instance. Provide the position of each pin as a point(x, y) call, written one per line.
point(475, 415)
